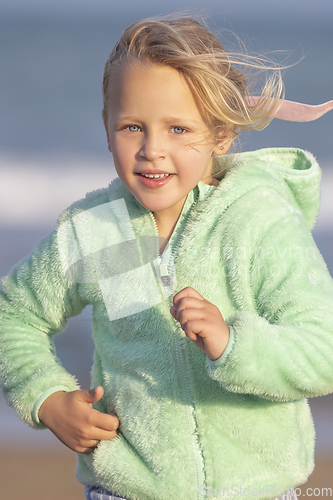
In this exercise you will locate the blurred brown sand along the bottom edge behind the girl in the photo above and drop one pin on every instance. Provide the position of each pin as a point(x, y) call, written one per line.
point(49, 475)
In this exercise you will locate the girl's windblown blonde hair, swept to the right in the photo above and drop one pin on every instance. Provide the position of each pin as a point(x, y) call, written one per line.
point(221, 89)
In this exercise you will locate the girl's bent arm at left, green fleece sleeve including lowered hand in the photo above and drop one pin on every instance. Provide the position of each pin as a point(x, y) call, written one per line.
point(35, 303)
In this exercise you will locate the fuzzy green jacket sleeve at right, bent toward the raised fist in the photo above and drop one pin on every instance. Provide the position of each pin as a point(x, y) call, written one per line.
point(281, 347)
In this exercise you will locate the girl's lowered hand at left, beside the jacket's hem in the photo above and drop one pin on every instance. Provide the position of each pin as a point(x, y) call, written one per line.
point(73, 420)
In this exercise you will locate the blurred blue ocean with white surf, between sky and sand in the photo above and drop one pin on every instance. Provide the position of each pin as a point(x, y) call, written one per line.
point(53, 146)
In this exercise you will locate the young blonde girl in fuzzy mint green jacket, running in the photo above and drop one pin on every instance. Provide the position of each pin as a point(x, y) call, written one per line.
point(212, 307)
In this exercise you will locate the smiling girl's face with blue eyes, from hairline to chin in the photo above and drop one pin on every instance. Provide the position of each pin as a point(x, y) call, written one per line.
point(160, 142)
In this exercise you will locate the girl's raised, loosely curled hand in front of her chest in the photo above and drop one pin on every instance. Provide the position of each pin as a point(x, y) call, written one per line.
point(201, 321)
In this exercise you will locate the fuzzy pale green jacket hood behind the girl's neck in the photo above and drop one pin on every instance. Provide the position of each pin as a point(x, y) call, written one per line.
point(293, 173)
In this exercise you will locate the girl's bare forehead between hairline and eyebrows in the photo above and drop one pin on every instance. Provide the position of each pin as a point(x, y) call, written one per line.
point(138, 86)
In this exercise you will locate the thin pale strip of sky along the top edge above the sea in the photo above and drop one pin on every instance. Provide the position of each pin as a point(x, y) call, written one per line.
point(293, 11)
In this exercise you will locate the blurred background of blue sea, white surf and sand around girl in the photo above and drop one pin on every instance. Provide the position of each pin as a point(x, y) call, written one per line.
point(53, 150)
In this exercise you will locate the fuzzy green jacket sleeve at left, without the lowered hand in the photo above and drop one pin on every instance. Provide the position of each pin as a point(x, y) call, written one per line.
point(35, 302)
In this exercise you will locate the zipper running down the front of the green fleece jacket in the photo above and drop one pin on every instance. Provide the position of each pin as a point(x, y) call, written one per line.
point(185, 382)
